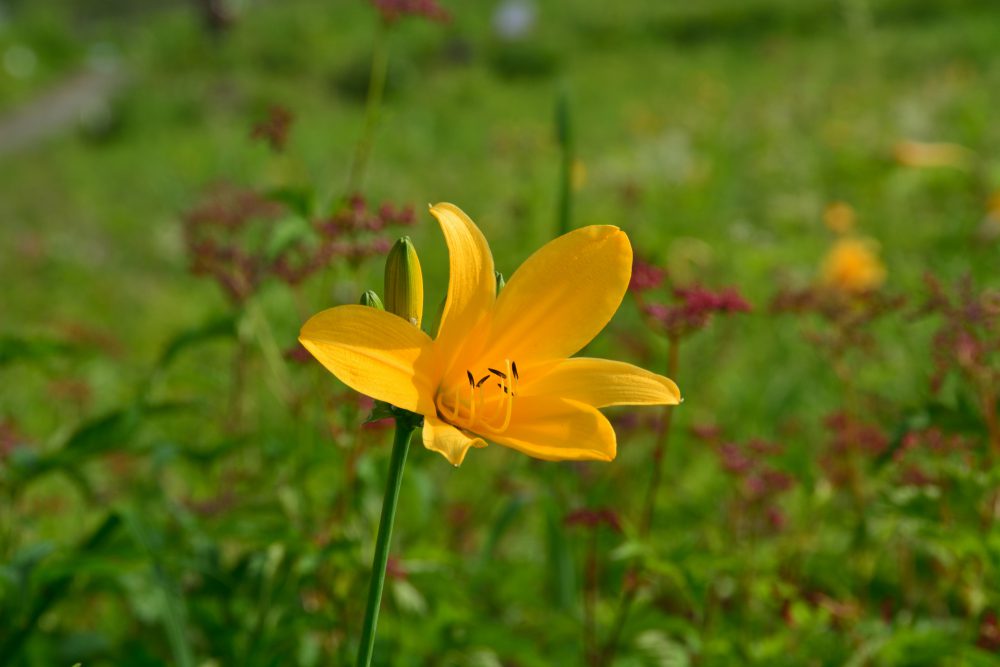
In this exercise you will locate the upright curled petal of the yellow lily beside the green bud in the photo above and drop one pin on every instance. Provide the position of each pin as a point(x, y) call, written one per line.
point(471, 282)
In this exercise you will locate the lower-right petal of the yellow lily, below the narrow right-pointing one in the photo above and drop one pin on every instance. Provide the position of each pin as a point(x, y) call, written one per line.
point(555, 429)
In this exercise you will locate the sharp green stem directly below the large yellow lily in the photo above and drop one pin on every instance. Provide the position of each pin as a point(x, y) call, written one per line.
point(400, 446)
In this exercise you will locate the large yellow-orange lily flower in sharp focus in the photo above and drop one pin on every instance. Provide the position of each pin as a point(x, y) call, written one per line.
point(500, 367)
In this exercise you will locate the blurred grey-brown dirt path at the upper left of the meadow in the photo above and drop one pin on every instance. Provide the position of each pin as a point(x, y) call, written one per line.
point(58, 109)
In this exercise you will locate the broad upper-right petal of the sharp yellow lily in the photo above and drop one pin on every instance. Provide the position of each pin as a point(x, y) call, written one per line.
point(562, 296)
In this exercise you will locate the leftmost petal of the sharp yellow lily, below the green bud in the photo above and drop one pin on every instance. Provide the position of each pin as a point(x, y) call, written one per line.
point(374, 352)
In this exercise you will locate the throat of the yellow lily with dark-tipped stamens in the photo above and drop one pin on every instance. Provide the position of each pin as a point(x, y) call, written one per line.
point(480, 402)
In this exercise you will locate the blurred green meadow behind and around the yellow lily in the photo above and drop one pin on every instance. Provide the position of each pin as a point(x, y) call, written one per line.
point(178, 489)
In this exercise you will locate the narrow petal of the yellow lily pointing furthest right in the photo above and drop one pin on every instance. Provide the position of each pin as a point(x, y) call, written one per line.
point(601, 383)
